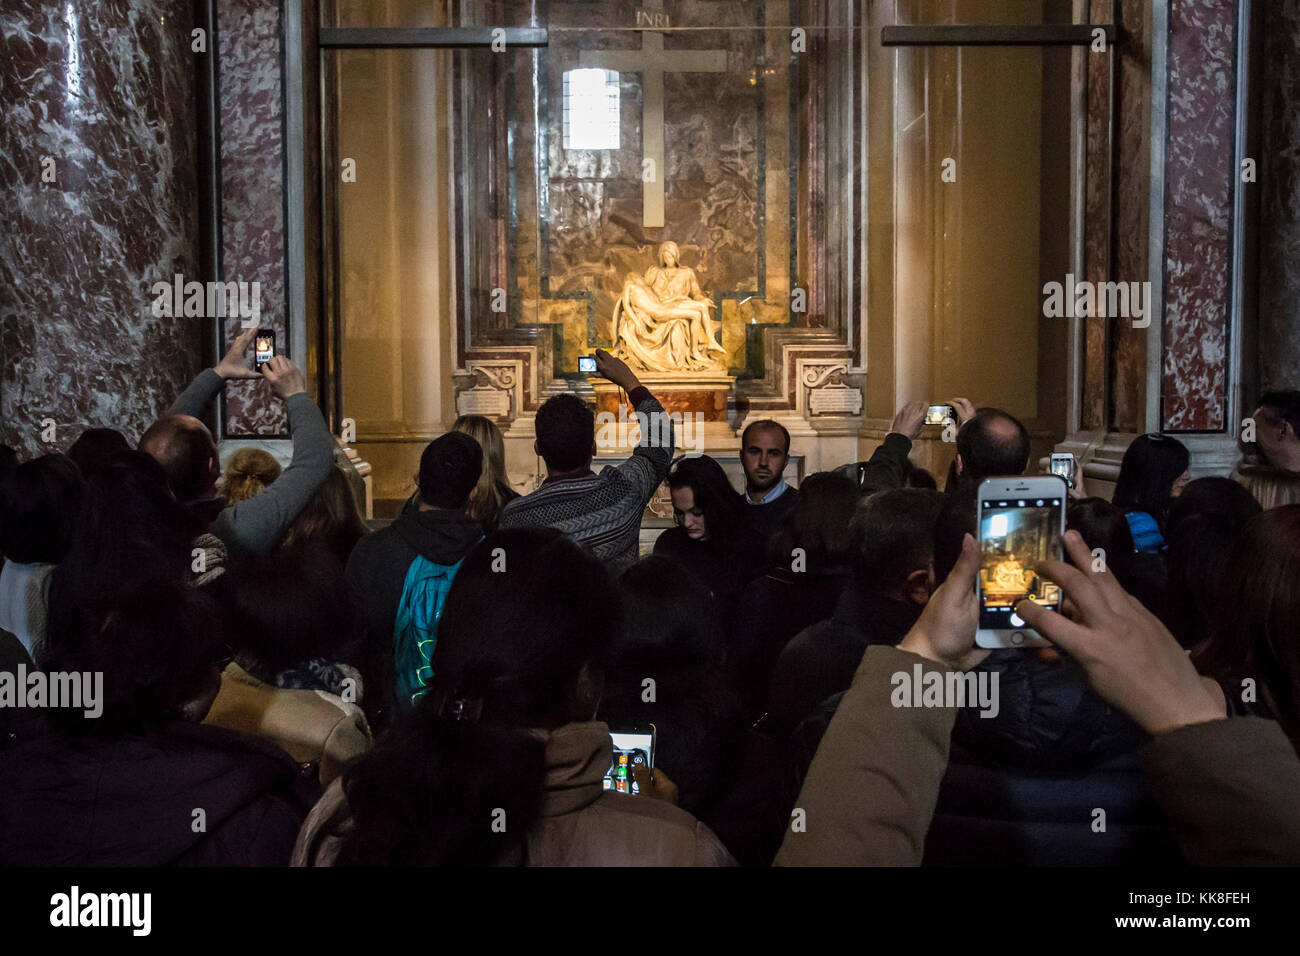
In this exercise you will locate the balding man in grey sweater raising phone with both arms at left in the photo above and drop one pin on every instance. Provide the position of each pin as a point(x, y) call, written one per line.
point(189, 456)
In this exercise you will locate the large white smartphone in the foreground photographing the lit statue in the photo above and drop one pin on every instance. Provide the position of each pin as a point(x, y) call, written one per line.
point(1021, 525)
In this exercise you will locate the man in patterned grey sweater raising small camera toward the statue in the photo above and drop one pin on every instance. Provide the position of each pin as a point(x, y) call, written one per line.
point(603, 513)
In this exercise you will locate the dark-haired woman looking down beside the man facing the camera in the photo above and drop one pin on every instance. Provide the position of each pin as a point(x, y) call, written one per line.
point(713, 538)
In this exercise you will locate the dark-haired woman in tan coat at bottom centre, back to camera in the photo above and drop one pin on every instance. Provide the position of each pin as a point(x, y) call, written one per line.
point(502, 762)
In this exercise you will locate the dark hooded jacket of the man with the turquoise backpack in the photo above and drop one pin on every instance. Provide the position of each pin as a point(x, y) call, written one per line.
point(376, 574)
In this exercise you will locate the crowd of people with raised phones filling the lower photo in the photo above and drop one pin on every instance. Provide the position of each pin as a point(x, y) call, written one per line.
point(284, 685)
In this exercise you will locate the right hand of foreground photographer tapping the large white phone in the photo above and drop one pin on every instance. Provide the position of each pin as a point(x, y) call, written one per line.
point(1128, 656)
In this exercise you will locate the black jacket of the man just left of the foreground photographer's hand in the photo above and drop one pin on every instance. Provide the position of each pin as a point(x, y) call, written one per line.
point(822, 659)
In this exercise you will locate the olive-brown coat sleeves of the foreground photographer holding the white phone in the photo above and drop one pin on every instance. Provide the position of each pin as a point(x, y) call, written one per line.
point(1229, 788)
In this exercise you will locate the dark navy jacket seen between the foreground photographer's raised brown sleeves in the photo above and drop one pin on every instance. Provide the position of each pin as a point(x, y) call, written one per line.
point(1022, 789)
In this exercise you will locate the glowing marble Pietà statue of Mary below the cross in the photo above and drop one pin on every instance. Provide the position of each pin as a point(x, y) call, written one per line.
point(665, 322)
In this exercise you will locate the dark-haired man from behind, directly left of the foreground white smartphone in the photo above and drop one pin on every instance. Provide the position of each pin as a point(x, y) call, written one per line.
point(892, 579)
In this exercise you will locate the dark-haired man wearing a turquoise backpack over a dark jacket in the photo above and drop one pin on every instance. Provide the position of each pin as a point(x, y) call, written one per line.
point(401, 576)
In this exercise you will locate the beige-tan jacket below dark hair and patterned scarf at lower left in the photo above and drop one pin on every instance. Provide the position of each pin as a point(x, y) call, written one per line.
point(313, 726)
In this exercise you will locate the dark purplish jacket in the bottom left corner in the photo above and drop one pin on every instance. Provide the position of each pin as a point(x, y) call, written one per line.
point(133, 801)
